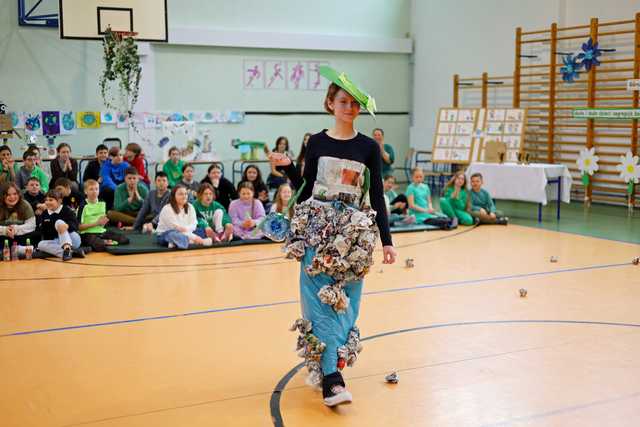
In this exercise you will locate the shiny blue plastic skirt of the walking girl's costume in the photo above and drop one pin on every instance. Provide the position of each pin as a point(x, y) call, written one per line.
point(328, 326)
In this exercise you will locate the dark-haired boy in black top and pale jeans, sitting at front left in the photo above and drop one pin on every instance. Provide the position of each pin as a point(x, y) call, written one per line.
point(58, 226)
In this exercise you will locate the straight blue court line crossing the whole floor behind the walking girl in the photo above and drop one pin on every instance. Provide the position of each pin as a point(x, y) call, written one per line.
point(279, 303)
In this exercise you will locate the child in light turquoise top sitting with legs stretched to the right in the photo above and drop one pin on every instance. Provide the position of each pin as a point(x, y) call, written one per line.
point(420, 205)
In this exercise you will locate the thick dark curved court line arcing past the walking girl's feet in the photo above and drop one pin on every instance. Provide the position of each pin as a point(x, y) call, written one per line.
point(274, 401)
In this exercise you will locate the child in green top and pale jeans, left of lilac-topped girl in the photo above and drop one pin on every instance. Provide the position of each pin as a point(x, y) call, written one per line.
point(213, 220)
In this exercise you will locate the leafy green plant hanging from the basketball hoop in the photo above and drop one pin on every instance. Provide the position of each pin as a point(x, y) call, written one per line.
point(121, 67)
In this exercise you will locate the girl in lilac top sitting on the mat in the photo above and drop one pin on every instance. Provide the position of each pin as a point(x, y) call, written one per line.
point(246, 213)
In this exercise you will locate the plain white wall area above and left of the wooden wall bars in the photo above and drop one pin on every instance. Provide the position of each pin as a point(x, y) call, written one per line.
point(469, 37)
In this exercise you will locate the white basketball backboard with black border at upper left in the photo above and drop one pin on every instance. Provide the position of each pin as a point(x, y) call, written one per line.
point(89, 19)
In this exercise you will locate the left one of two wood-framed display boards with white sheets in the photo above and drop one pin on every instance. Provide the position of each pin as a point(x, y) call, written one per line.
point(456, 135)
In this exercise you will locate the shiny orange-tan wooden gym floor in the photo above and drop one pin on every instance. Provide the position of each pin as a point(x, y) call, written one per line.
point(201, 338)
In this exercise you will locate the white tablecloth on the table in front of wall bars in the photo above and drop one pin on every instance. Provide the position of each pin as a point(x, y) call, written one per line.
point(510, 181)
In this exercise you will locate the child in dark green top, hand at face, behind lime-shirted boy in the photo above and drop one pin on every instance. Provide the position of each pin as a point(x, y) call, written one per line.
point(128, 199)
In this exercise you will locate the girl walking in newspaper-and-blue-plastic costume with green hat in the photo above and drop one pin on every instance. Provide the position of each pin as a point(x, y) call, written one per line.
point(333, 233)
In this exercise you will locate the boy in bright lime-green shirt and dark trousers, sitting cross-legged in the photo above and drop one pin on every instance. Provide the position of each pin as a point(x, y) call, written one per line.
point(93, 218)
